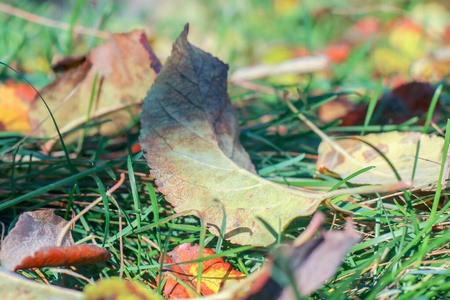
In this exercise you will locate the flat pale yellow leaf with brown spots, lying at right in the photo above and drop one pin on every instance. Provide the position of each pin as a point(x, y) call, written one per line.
point(399, 148)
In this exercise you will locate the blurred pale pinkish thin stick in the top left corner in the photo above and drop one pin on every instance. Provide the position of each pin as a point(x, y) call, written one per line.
point(13, 11)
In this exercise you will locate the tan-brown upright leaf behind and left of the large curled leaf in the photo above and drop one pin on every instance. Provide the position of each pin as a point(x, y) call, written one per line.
point(124, 76)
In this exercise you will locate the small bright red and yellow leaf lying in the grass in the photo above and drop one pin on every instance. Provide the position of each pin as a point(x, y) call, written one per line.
point(215, 272)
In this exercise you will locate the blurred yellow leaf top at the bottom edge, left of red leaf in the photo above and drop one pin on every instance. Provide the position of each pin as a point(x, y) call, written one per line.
point(115, 288)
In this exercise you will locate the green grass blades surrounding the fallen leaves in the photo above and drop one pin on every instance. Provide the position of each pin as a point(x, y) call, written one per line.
point(400, 256)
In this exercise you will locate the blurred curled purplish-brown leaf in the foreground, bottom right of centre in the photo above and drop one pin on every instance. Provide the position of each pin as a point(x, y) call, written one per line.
point(309, 261)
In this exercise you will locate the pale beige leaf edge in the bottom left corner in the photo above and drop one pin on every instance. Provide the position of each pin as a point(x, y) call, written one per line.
point(14, 286)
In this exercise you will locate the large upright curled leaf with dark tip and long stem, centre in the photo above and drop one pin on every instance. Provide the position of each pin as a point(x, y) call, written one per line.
point(191, 137)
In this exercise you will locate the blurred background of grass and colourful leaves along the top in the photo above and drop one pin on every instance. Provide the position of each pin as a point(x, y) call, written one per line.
point(401, 40)
